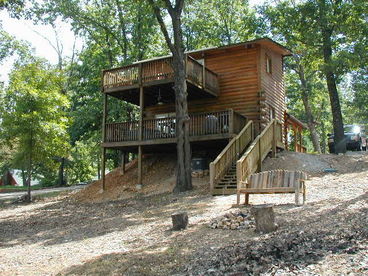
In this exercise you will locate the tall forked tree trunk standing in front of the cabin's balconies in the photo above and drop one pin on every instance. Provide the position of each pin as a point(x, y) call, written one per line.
point(176, 46)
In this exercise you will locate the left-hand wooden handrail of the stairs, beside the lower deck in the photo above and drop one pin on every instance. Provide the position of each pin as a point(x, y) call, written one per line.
point(230, 153)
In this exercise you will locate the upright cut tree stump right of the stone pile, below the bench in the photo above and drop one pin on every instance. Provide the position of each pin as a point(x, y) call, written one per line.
point(264, 218)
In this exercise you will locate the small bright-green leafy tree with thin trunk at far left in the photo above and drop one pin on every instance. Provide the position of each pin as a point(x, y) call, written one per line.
point(34, 123)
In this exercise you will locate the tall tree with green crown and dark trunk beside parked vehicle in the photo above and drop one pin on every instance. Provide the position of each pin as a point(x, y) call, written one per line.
point(325, 27)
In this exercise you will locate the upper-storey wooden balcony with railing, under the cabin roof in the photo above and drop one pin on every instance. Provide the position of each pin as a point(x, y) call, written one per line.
point(157, 78)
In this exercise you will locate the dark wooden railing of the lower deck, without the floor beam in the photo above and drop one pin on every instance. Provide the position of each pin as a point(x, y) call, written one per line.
point(200, 124)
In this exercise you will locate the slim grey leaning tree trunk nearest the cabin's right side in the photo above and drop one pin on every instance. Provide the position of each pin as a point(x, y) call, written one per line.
point(308, 111)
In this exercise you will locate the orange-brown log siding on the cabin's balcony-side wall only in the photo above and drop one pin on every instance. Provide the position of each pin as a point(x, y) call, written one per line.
point(238, 81)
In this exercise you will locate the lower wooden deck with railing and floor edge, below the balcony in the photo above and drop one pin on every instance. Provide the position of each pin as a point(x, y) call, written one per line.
point(202, 127)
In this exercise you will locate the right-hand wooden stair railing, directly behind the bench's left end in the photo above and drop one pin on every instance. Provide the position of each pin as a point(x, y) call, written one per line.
point(251, 161)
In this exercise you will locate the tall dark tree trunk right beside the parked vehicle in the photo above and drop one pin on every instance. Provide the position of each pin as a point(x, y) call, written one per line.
point(326, 30)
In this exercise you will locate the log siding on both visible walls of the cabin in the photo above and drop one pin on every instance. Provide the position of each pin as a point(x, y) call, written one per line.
point(244, 84)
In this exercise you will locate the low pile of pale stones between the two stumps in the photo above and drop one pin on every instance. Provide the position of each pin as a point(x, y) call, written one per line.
point(233, 221)
